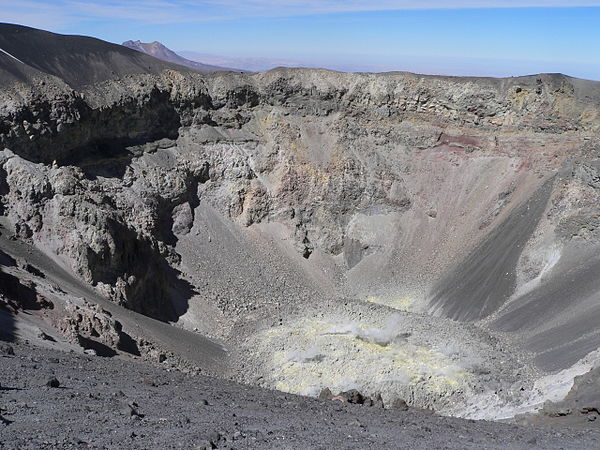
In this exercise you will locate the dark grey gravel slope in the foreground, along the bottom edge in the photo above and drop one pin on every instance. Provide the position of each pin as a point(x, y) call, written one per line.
point(118, 403)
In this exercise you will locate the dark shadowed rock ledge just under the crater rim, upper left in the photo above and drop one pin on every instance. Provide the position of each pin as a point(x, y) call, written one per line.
point(69, 130)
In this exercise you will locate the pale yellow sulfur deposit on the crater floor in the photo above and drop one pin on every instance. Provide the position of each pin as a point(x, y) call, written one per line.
point(318, 354)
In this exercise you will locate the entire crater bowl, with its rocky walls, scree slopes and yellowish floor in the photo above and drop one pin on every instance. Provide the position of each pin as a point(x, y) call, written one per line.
point(317, 221)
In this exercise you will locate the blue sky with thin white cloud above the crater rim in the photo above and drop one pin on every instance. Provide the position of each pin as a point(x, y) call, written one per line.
point(462, 37)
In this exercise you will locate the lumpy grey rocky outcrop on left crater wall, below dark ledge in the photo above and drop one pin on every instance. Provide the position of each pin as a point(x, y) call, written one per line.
point(112, 239)
